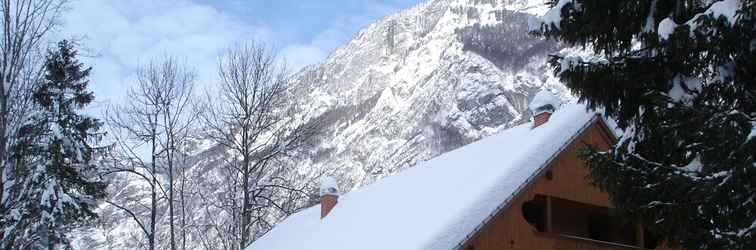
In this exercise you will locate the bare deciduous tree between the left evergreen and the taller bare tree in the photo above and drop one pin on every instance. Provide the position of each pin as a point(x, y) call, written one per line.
point(157, 115)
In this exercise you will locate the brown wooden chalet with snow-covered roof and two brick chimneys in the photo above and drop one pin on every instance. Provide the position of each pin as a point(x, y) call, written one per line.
point(524, 188)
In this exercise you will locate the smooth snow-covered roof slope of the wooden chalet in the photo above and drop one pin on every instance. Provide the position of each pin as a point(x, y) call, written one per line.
point(438, 203)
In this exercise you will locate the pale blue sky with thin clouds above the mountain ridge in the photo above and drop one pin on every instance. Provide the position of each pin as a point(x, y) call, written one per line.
point(118, 35)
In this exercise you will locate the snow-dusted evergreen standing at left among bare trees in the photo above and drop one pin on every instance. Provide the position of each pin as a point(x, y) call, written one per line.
point(60, 181)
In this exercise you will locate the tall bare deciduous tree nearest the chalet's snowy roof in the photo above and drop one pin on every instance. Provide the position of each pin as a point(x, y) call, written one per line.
point(251, 118)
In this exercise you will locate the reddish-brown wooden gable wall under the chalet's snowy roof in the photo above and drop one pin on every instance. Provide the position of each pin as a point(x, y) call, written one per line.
point(509, 230)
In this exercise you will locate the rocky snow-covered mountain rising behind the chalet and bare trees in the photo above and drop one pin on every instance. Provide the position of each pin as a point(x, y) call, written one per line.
point(408, 87)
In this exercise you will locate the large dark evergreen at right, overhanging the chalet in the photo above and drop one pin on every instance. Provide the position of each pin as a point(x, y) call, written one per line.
point(678, 76)
